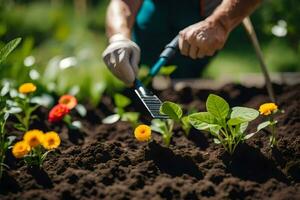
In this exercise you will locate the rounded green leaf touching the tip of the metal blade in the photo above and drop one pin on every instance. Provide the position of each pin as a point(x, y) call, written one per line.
point(171, 109)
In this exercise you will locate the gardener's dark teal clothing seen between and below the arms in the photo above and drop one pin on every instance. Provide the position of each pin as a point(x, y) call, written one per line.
point(157, 23)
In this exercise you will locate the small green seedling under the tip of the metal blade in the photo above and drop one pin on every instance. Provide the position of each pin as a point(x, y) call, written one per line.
point(165, 127)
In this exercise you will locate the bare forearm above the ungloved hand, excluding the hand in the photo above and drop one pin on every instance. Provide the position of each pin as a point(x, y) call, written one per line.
point(232, 12)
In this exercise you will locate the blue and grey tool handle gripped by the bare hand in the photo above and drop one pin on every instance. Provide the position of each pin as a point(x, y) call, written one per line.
point(165, 56)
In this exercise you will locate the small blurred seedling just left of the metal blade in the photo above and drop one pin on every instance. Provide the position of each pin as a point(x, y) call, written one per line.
point(121, 103)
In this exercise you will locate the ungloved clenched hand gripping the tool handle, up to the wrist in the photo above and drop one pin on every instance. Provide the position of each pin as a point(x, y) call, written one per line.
point(202, 39)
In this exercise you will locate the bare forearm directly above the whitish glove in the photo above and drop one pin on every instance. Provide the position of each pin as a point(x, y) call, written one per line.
point(121, 17)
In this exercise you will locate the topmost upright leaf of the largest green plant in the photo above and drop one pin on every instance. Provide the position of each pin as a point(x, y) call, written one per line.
point(217, 106)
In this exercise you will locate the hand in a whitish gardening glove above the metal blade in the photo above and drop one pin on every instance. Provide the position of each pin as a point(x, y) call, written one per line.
point(122, 57)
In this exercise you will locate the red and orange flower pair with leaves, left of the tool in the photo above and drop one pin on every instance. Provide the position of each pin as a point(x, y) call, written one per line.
point(60, 112)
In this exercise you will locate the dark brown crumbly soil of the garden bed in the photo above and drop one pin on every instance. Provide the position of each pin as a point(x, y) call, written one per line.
point(106, 162)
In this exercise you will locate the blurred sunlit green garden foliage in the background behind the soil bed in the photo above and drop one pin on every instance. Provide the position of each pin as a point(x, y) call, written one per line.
point(63, 41)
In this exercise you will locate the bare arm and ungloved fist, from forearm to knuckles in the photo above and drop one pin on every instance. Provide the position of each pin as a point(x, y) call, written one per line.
point(206, 37)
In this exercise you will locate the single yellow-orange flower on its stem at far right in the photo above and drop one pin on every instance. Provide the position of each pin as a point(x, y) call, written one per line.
point(269, 110)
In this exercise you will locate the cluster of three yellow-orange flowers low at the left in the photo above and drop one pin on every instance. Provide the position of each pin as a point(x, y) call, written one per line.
point(35, 147)
